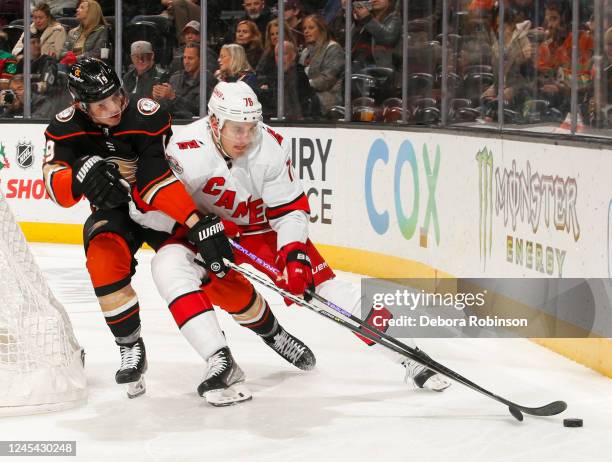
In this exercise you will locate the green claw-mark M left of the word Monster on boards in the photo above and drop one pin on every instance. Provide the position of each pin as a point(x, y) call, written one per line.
point(484, 159)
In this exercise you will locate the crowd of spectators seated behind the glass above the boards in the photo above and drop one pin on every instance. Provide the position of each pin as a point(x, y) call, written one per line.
point(161, 41)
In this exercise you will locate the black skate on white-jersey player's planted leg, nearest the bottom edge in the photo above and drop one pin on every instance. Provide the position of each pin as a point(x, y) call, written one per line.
point(223, 383)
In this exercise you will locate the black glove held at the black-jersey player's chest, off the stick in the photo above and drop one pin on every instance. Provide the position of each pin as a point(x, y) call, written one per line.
point(100, 182)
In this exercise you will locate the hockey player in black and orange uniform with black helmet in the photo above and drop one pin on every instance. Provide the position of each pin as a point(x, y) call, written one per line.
point(106, 148)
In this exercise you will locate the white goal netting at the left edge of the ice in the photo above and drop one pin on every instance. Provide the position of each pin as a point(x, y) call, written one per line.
point(40, 359)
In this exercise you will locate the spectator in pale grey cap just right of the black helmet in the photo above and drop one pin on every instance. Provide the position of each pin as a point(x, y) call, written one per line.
point(143, 73)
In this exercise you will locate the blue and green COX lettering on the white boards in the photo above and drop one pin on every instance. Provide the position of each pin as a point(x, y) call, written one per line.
point(406, 205)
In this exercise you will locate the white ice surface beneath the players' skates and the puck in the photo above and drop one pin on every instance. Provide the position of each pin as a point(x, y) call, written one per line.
point(353, 407)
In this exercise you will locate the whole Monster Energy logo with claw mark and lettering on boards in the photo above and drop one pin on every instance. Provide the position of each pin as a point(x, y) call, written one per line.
point(528, 201)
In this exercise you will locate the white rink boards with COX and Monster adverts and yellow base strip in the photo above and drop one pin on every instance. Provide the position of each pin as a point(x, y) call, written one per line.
point(391, 203)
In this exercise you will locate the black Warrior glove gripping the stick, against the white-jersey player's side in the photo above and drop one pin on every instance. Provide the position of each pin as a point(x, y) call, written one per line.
point(213, 246)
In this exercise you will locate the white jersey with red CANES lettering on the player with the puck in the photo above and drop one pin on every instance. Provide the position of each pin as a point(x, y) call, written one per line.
point(258, 192)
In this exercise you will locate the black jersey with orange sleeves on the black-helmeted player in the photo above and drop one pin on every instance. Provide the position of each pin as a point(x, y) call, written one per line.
point(136, 145)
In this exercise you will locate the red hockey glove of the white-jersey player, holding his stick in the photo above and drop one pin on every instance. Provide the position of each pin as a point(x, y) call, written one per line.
point(295, 263)
